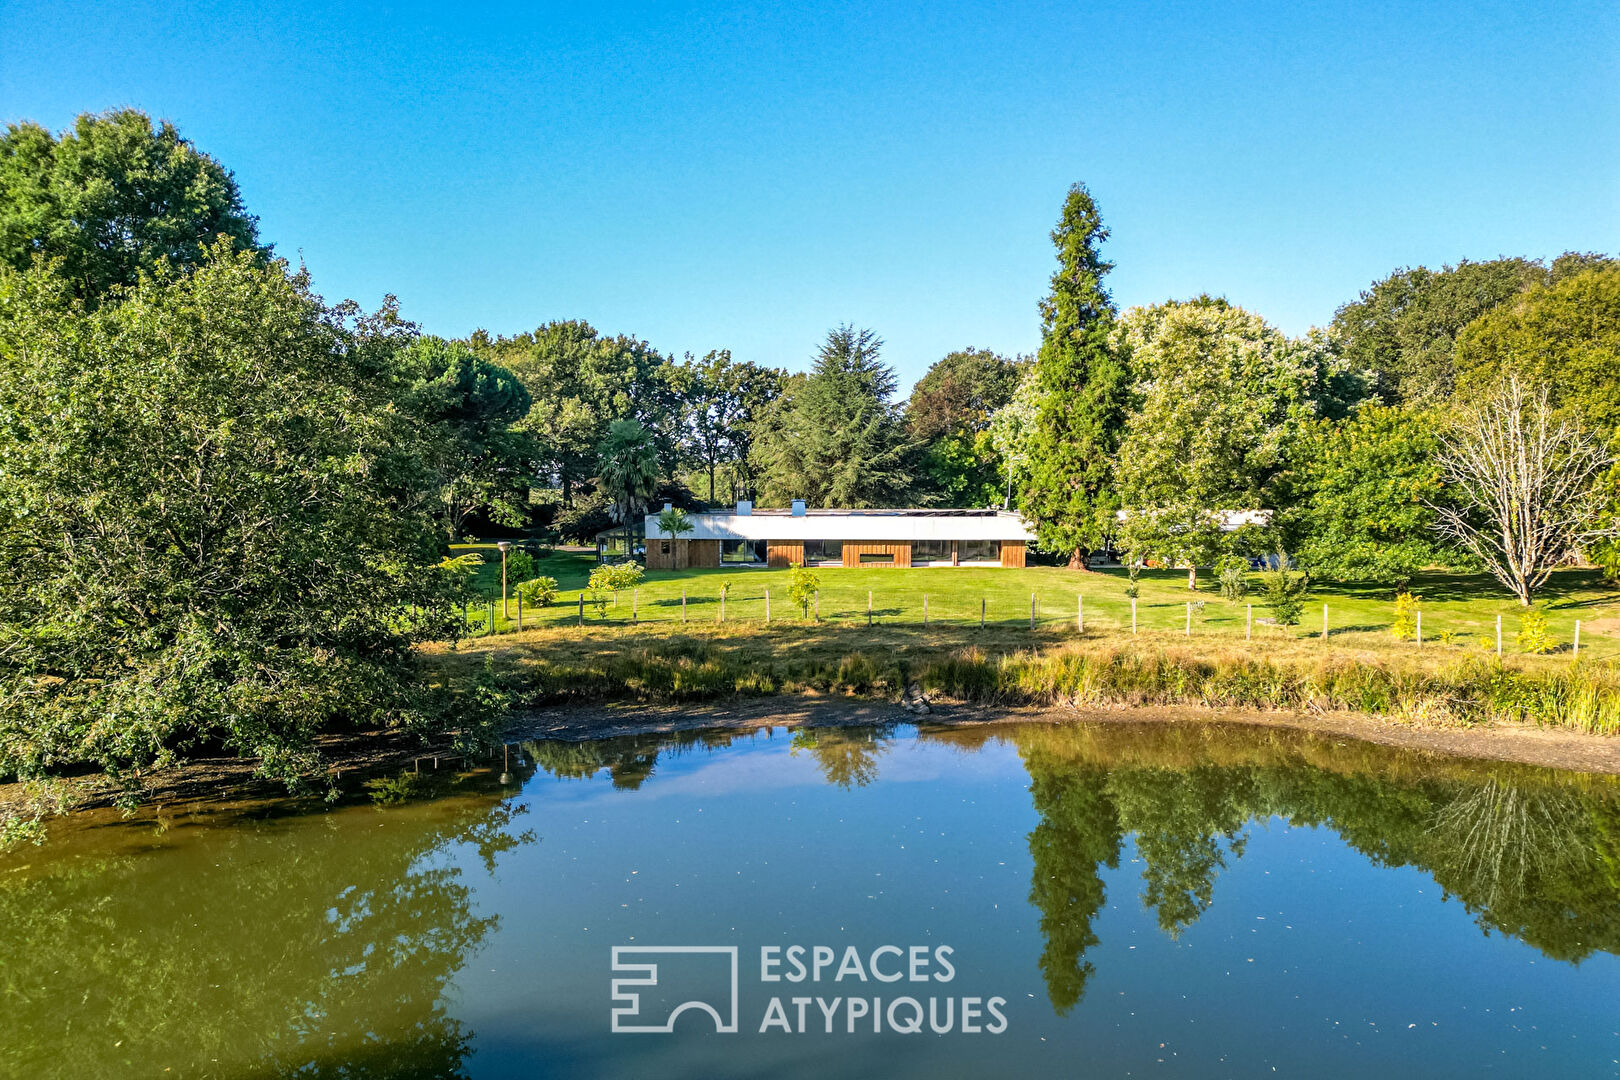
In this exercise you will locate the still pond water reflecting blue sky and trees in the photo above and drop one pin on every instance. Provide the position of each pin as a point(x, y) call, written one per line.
point(1083, 901)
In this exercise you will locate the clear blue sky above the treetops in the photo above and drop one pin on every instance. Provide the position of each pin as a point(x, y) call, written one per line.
point(746, 177)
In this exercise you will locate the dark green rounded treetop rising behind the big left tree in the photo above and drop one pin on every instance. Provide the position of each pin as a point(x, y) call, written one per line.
point(113, 198)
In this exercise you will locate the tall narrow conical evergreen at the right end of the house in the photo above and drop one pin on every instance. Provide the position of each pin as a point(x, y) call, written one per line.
point(1083, 393)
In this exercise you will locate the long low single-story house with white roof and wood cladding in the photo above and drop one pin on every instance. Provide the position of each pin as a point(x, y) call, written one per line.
point(842, 538)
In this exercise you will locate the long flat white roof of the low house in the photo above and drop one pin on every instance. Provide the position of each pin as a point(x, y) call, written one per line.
point(853, 525)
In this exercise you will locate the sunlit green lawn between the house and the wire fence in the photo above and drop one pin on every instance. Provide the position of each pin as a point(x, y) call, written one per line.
point(1456, 606)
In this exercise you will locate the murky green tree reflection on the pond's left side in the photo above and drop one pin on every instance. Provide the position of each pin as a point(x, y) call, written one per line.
point(273, 948)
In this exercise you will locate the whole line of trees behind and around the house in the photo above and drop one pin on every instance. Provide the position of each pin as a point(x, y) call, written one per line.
point(226, 503)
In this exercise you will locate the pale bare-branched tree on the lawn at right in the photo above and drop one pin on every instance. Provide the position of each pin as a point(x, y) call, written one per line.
point(1528, 487)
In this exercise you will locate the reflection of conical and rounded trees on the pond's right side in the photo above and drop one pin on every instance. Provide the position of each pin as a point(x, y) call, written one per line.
point(1530, 853)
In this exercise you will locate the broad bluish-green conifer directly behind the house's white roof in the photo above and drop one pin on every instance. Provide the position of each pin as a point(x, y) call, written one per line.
point(837, 438)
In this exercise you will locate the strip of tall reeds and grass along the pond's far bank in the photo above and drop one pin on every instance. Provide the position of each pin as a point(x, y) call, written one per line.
point(1017, 666)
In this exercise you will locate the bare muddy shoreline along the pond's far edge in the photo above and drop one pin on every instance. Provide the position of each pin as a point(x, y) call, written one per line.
point(375, 752)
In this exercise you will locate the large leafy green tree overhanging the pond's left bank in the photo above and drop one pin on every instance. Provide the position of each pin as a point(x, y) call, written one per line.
point(207, 524)
